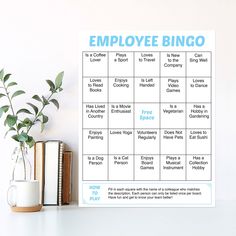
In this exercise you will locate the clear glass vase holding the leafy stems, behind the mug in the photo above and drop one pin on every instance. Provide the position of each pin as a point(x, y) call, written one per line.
point(21, 166)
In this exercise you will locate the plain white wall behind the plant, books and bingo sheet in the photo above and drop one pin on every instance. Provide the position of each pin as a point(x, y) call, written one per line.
point(40, 38)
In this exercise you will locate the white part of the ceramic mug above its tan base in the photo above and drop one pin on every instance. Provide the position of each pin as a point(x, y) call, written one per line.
point(23, 193)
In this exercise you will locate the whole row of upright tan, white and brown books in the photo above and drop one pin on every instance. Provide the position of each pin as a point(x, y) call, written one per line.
point(53, 168)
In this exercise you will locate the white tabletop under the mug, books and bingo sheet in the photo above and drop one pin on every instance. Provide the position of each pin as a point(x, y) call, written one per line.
point(71, 220)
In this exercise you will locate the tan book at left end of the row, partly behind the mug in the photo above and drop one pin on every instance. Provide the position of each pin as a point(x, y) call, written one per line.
point(39, 167)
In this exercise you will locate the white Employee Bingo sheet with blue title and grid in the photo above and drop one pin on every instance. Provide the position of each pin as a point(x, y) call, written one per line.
point(147, 119)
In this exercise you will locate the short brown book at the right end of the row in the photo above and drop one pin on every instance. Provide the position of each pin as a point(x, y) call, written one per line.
point(67, 178)
